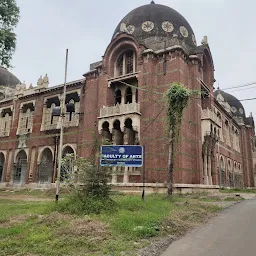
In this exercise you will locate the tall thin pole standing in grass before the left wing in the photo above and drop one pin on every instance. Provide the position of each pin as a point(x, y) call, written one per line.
point(62, 115)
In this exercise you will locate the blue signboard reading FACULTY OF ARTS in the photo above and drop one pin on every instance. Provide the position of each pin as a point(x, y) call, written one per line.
point(131, 156)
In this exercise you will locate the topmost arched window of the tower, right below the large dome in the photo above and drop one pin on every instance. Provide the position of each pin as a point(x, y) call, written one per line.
point(125, 63)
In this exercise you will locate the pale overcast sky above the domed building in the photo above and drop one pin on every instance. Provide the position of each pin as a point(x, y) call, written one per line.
point(48, 27)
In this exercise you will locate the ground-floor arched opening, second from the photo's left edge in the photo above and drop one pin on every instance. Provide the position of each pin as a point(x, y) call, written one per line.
point(20, 168)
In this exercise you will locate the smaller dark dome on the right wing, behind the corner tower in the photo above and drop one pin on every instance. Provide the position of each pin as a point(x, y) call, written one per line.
point(231, 104)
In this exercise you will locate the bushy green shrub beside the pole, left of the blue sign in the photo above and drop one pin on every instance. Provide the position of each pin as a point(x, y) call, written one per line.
point(90, 191)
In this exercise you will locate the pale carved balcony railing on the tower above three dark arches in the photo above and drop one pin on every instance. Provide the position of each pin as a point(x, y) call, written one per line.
point(121, 109)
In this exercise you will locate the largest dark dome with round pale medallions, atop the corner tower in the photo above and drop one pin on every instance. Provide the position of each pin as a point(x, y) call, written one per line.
point(153, 24)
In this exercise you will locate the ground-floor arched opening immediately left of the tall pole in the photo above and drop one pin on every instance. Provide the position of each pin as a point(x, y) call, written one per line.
point(45, 168)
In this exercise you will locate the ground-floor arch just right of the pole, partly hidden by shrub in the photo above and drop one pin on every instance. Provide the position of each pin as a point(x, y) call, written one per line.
point(66, 168)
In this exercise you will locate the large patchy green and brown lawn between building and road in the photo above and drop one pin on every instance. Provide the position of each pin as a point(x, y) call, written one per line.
point(44, 228)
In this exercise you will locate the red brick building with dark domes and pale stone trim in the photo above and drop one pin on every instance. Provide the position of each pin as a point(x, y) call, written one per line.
point(121, 100)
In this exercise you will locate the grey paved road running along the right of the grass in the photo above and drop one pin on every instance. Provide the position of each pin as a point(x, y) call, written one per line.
point(233, 232)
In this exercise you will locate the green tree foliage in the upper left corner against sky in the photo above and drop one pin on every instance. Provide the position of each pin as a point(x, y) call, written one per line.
point(9, 17)
